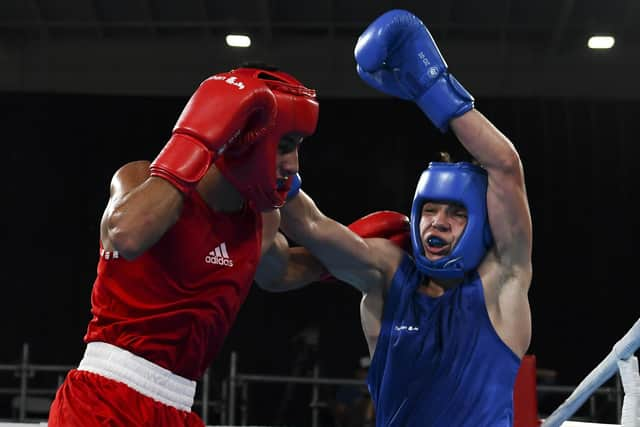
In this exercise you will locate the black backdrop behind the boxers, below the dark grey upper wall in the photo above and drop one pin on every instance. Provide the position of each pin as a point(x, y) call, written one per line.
point(580, 159)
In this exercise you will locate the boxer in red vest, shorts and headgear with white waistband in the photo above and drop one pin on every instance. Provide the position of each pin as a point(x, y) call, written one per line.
point(181, 241)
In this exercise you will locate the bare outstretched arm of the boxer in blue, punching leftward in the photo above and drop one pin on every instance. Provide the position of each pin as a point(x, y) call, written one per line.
point(363, 263)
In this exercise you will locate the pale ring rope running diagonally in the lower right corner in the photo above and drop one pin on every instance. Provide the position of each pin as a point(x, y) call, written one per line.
point(622, 350)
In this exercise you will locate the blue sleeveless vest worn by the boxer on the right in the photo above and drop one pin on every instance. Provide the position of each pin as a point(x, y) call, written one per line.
point(438, 361)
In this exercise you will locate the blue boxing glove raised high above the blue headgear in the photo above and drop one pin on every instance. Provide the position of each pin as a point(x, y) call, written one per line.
point(397, 55)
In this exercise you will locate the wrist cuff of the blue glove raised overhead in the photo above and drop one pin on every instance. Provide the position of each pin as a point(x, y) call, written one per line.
point(445, 100)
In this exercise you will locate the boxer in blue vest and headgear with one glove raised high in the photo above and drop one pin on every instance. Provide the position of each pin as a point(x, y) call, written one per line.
point(448, 323)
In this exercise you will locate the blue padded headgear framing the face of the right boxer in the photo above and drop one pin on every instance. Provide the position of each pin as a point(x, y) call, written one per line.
point(463, 183)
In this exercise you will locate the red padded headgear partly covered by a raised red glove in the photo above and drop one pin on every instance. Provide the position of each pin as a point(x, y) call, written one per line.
point(252, 171)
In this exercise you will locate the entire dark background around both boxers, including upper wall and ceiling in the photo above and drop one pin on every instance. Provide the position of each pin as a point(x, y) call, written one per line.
point(87, 85)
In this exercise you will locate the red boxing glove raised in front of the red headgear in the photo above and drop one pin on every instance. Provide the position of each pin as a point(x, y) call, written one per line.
point(223, 111)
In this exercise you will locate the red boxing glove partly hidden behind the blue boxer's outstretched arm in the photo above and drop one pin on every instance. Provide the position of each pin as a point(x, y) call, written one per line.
point(390, 225)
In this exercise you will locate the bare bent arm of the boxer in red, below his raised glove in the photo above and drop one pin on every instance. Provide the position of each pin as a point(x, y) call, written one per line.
point(140, 210)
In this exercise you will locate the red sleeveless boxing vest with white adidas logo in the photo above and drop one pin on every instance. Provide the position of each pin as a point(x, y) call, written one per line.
point(174, 305)
